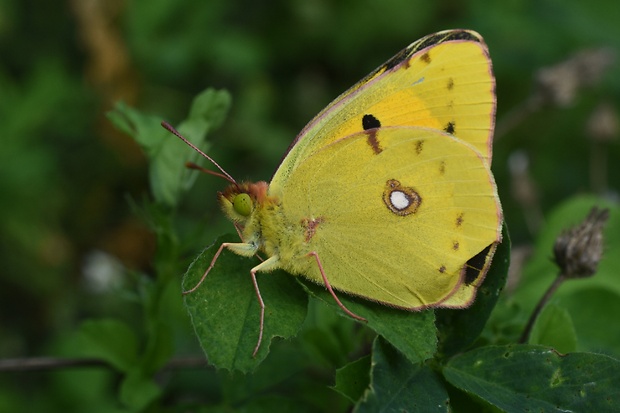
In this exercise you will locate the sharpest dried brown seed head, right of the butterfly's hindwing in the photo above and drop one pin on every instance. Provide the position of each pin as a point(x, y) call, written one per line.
point(579, 250)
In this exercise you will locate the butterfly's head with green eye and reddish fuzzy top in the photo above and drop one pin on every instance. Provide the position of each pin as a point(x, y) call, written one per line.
point(239, 201)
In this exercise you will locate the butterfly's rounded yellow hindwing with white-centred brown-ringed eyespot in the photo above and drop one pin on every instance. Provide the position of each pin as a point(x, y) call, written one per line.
point(394, 213)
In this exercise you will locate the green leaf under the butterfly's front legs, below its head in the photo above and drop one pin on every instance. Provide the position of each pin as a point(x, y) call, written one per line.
point(225, 312)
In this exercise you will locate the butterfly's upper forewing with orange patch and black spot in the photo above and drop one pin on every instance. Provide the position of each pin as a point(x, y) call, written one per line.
point(442, 81)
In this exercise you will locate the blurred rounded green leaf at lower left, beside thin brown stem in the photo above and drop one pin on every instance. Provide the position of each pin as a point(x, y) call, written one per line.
point(111, 340)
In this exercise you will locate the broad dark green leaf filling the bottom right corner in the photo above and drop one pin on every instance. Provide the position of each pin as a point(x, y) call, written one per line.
point(535, 378)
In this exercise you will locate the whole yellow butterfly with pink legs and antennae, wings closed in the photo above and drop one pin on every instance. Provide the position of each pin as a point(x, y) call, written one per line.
point(387, 194)
